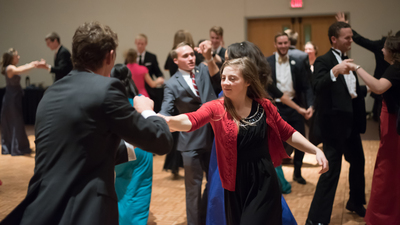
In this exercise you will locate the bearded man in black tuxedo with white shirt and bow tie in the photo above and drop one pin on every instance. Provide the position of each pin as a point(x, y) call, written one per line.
point(288, 75)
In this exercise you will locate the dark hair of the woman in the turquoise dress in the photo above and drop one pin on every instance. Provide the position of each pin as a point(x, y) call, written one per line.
point(123, 73)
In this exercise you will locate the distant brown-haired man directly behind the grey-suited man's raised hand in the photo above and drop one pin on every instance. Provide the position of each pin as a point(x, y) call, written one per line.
point(217, 39)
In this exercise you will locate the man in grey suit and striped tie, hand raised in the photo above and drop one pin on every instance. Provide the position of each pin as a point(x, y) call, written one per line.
point(186, 91)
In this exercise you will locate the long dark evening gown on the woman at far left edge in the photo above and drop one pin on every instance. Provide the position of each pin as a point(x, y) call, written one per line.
point(13, 137)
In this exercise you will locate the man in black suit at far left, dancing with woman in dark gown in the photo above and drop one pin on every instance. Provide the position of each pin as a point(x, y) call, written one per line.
point(62, 57)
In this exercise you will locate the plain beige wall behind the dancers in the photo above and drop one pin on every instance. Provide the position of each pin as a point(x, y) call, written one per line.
point(25, 23)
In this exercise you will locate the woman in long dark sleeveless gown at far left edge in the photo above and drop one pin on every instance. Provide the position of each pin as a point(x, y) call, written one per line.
point(13, 136)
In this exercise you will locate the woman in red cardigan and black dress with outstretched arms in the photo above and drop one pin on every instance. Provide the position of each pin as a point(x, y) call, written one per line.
point(245, 125)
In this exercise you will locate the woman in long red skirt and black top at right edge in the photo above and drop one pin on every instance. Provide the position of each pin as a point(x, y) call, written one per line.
point(384, 203)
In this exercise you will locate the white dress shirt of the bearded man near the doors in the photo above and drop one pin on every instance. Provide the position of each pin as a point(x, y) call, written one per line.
point(284, 81)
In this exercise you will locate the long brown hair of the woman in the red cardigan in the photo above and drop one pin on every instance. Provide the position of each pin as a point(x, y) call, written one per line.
point(250, 74)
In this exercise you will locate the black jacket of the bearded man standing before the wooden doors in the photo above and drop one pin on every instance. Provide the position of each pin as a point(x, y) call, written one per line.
point(304, 94)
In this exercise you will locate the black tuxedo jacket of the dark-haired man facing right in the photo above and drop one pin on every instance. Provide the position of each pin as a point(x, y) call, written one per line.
point(337, 113)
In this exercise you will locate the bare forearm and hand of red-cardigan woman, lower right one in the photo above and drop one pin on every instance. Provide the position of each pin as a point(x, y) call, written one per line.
point(299, 142)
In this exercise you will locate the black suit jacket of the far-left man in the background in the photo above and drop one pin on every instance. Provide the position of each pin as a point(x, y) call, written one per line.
point(62, 63)
